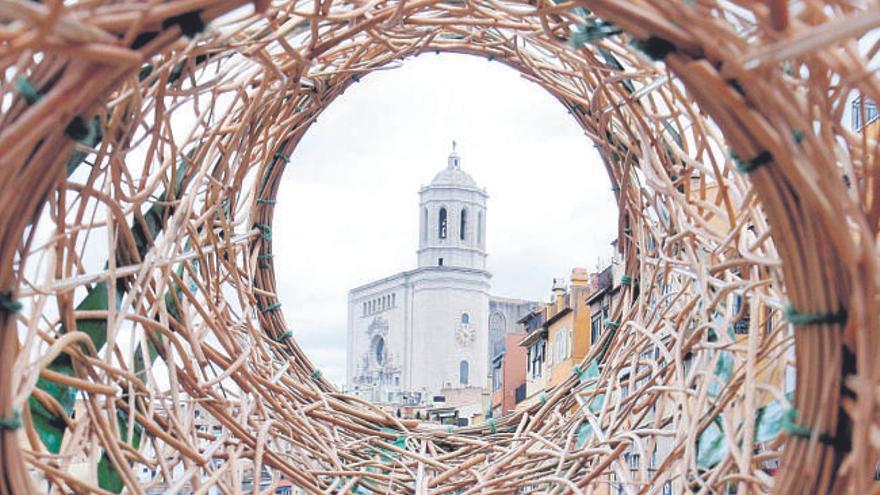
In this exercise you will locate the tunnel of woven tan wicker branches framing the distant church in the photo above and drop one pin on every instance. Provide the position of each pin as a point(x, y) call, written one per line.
point(152, 136)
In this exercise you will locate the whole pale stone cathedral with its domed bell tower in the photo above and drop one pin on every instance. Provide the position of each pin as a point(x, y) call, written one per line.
point(419, 335)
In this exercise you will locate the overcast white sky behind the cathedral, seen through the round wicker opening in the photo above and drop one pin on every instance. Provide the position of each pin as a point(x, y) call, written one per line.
point(347, 209)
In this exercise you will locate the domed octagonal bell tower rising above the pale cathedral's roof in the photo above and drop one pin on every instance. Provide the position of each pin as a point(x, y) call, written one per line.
point(452, 213)
